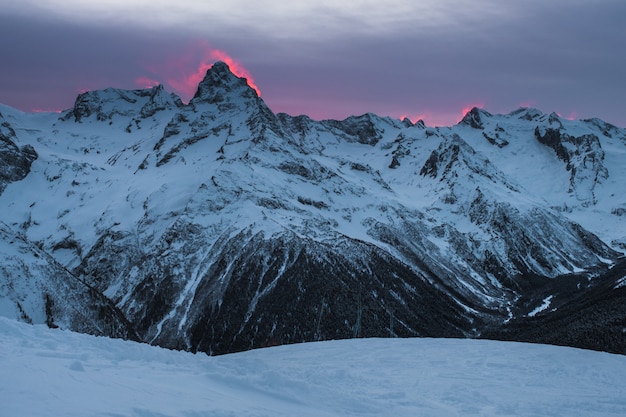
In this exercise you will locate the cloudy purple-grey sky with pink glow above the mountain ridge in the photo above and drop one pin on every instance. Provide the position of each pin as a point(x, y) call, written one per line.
point(428, 59)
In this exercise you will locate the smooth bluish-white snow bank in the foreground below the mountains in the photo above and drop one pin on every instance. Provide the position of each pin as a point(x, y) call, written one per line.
point(60, 373)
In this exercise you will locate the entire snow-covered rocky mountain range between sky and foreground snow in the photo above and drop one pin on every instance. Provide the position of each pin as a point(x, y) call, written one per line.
point(220, 226)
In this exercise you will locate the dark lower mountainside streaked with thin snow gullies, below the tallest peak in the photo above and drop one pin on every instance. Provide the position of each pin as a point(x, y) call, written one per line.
point(282, 289)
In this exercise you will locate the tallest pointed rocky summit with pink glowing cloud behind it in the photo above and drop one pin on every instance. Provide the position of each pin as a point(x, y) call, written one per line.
point(220, 84)
